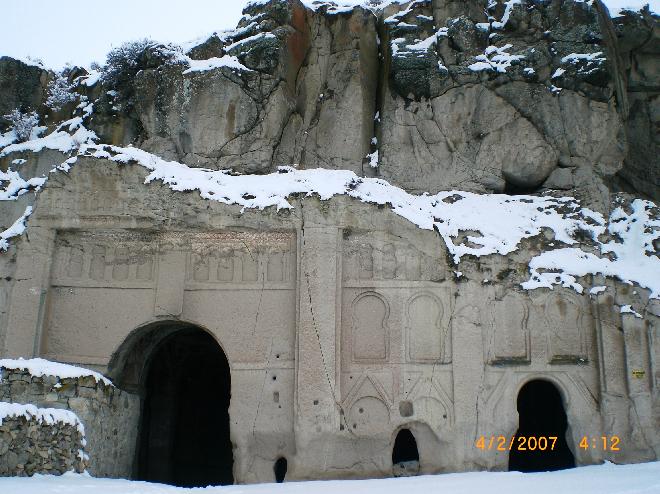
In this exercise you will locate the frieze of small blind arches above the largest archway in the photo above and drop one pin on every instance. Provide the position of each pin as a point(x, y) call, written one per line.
point(130, 258)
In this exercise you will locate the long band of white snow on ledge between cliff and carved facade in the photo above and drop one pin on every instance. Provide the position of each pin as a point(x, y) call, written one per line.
point(585, 242)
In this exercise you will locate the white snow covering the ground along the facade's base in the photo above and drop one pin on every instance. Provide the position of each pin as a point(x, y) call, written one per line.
point(642, 478)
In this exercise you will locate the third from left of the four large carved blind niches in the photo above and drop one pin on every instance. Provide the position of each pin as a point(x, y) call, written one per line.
point(508, 336)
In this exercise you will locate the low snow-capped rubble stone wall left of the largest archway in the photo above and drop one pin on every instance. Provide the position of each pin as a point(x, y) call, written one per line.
point(109, 417)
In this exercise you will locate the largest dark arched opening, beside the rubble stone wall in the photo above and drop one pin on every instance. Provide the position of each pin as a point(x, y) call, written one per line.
point(184, 427)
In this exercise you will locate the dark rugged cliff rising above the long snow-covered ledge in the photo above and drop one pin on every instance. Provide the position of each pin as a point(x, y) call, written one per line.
point(497, 96)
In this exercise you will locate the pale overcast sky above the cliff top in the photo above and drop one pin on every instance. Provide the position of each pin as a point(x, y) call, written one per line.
point(83, 31)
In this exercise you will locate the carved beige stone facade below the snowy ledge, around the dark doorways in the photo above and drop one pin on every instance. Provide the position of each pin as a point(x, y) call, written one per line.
point(341, 322)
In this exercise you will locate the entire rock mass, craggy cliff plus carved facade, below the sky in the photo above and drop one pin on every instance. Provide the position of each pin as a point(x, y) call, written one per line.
point(489, 230)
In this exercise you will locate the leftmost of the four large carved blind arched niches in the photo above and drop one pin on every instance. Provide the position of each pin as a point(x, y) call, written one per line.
point(370, 331)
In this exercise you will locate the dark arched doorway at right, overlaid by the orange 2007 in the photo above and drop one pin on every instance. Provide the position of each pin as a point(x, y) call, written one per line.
point(541, 415)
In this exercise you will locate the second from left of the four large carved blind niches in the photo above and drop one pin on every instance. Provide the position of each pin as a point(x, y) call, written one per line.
point(427, 330)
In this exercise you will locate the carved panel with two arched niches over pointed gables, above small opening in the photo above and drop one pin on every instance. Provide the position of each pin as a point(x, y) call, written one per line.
point(395, 350)
